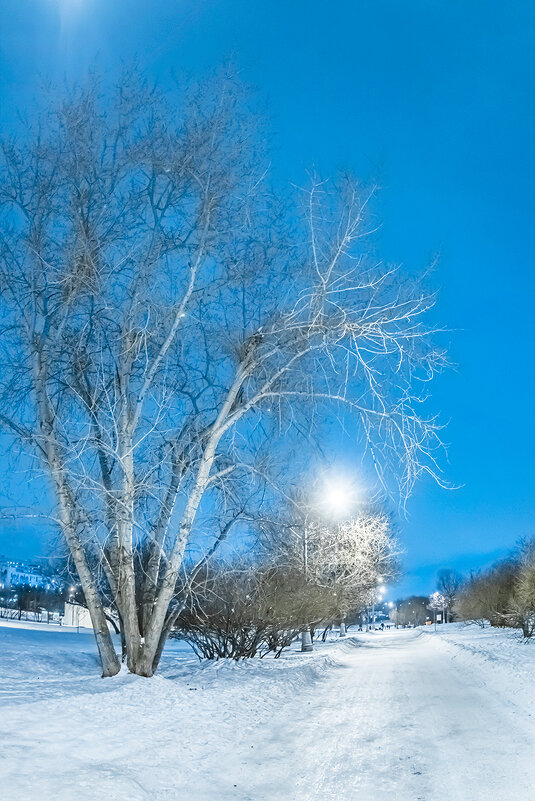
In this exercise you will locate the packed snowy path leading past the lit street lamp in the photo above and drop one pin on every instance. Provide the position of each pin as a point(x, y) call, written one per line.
point(401, 720)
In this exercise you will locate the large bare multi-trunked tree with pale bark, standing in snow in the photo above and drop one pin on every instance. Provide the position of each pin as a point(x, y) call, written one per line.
point(166, 323)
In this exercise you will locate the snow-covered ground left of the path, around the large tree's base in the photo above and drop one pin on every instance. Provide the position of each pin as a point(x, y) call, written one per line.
point(66, 733)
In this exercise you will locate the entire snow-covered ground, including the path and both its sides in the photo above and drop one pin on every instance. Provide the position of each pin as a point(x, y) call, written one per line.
point(398, 716)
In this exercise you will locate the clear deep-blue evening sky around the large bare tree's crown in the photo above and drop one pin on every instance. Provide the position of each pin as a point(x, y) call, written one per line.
point(433, 99)
